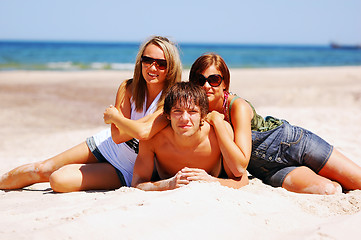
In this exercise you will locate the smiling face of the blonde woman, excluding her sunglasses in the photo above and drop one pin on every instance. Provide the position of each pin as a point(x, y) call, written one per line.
point(151, 73)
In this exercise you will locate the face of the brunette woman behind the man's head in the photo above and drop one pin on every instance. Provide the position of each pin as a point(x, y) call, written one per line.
point(214, 94)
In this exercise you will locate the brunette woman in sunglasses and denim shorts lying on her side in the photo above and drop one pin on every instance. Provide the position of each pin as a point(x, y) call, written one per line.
point(278, 153)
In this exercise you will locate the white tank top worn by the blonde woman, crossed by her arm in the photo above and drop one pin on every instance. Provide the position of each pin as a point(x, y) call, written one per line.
point(121, 156)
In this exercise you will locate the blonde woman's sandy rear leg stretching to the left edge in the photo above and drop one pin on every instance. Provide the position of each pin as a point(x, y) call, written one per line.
point(29, 174)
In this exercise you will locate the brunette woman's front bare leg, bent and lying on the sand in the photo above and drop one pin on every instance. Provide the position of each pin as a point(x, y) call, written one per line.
point(304, 180)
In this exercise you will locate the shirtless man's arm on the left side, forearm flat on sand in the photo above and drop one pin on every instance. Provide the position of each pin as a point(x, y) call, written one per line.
point(143, 170)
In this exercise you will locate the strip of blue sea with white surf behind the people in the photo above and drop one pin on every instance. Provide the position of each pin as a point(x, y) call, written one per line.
point(73, 56)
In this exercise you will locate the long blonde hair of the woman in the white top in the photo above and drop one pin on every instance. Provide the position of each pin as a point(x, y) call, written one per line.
point(173, 71)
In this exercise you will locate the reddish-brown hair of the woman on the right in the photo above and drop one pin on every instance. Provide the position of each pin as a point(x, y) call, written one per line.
point(204, 62)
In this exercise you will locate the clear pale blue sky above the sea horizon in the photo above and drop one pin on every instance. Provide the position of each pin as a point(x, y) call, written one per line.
point(225, 21)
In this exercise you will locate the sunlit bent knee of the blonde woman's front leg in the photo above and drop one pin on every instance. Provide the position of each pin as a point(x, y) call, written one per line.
point(62, 181)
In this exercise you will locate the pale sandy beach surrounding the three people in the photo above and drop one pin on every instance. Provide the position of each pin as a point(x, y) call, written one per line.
point(43, 113)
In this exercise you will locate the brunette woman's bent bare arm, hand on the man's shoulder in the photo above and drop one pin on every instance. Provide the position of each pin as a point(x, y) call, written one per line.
point(236, 150)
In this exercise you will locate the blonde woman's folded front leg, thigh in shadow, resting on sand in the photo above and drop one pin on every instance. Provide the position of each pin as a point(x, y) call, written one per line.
point(78, 177)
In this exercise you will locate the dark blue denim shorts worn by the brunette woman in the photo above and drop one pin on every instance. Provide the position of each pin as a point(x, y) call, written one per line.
point(277, 152)
